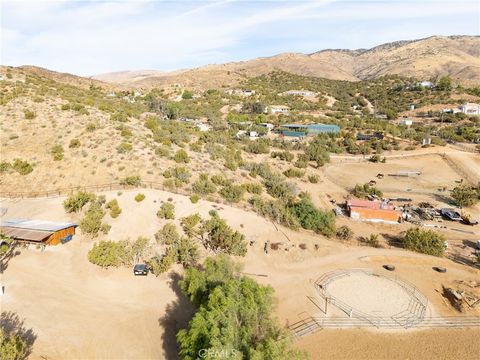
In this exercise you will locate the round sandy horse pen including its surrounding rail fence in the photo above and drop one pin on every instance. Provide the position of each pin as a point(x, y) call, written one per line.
point(384, 301)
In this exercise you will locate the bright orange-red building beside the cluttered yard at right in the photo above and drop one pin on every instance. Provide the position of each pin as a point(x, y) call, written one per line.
point(373, 211)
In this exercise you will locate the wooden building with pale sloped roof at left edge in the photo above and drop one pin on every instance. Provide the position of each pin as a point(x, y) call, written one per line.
point(38, 231)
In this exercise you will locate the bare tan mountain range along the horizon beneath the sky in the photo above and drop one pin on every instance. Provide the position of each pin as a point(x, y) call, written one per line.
point(427, 58)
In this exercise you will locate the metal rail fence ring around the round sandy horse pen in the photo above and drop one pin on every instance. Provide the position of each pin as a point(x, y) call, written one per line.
point(407, 318)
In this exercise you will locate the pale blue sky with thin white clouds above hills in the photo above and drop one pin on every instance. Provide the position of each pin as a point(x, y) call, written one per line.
point(91, 37)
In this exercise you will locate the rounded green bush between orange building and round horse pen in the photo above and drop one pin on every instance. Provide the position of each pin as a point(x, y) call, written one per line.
point(424, 241)
